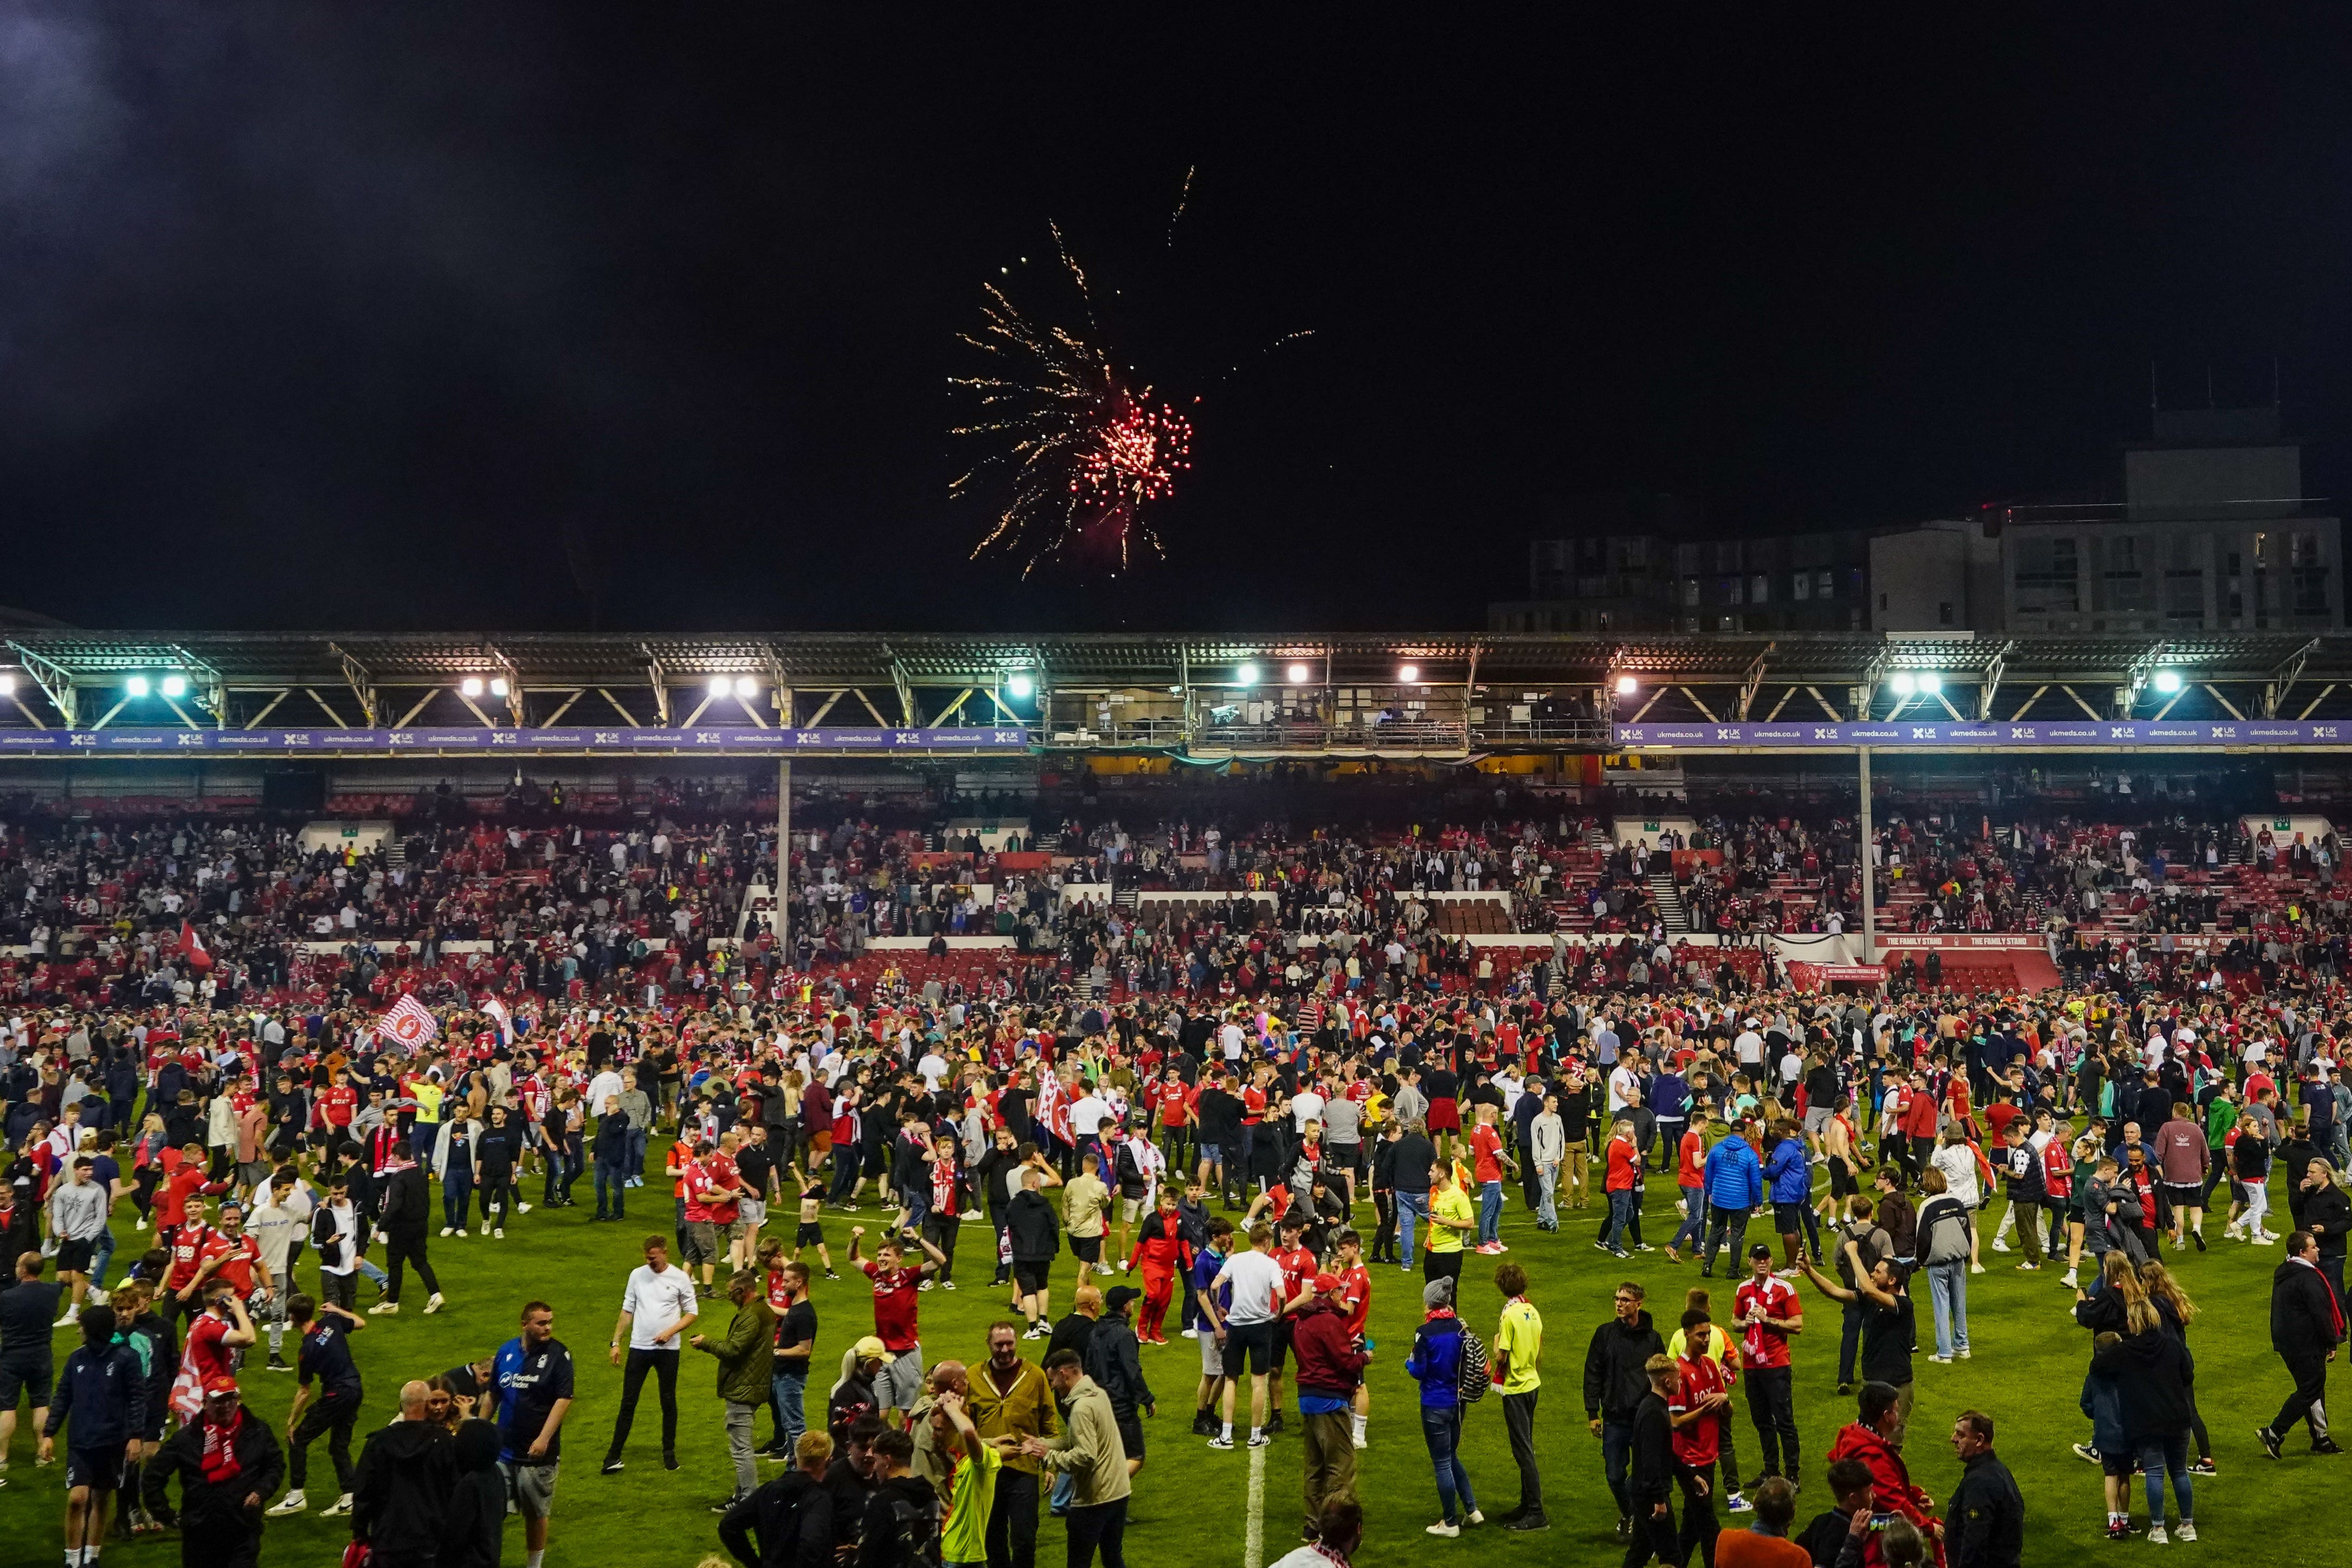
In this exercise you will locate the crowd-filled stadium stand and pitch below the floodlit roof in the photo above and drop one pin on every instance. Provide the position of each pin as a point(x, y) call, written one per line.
point(1140, 1099)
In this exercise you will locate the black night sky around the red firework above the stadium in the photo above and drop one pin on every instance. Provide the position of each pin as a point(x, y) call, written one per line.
point(457, 316)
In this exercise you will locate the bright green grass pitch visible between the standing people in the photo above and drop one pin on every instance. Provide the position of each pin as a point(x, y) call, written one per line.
point(1191, 1503)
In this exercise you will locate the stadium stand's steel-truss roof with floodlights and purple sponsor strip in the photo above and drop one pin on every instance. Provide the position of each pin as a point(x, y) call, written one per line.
point(1208, 697)
